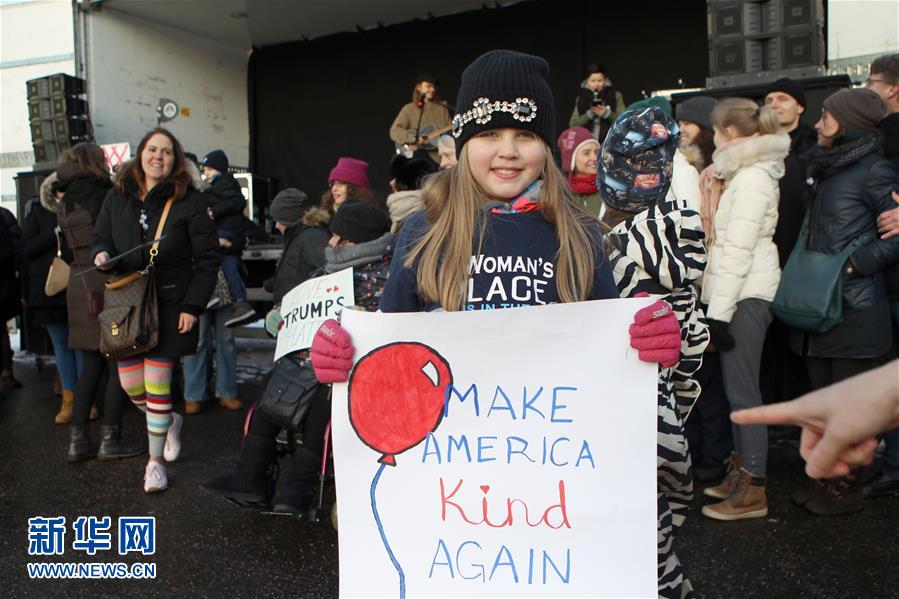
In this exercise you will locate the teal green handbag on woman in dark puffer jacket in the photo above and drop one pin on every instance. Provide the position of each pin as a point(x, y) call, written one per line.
point(810, 295)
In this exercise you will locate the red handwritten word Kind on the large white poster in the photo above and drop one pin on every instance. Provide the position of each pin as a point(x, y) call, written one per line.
point(505, 515)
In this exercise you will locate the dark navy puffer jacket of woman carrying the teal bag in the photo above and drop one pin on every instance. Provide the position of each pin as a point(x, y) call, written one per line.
point(845, 204)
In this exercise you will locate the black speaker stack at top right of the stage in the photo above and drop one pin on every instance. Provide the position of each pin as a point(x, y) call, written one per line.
point(760, 40)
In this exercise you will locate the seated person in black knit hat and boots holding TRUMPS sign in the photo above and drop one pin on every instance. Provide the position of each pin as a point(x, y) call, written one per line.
point(360, 240)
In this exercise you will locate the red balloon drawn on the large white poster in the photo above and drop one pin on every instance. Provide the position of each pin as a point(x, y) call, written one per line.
point(396, 396)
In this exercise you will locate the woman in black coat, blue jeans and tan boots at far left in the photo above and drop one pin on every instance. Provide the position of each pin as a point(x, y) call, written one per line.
point(40, 244)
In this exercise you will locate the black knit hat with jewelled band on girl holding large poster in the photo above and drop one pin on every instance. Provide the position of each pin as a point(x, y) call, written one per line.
point(503, 88)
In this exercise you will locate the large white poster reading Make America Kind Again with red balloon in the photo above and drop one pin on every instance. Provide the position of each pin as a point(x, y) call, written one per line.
point(499, 453)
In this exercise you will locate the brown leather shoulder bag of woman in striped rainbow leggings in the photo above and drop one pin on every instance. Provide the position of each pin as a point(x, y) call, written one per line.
point(129, 322)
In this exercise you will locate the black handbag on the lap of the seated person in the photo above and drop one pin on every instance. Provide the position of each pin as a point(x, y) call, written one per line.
point(289, 392)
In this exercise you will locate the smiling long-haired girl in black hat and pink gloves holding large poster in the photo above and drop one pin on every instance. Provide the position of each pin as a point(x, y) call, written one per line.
point(501, 229)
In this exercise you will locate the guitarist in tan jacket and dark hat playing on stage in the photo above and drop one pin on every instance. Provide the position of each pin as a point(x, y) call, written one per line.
point(425, 113)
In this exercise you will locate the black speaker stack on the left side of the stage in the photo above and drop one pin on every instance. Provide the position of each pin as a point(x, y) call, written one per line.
point(58, 114)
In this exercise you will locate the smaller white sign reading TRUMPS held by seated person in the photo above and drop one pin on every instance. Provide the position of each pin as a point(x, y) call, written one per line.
point(308, 305)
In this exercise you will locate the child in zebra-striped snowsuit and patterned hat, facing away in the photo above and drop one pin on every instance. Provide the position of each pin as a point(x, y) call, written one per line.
point(657, 248)
